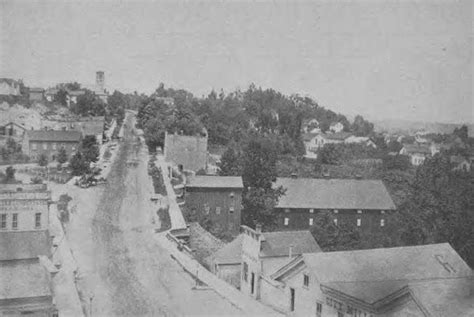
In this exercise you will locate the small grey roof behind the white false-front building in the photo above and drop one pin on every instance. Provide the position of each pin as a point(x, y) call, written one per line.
point(279, 243)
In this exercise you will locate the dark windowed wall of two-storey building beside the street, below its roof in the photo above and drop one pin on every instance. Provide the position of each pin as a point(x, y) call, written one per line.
point(204, 202)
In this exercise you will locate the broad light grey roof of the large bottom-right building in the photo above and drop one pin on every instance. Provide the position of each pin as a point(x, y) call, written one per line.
point(370, 275)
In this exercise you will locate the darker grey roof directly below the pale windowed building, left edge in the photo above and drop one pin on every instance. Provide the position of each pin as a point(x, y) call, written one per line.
point(20, 245)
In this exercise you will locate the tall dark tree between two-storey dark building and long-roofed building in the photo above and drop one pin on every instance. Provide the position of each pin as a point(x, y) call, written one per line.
point(258, 175)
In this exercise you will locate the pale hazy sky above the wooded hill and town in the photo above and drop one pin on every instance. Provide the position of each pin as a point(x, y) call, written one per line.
point(402, 59)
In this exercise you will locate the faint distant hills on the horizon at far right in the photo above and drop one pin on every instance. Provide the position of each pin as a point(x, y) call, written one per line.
point(406, 126)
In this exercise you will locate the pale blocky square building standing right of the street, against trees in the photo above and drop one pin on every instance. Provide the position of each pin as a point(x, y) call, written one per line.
point(186, 152)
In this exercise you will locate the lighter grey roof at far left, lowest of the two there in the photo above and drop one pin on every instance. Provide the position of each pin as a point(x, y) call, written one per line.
point(24, 279)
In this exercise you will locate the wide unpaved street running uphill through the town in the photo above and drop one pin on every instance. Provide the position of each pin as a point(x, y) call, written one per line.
point(121, 265)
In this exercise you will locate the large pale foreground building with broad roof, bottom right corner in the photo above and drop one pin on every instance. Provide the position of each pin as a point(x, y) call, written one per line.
point(425, 280)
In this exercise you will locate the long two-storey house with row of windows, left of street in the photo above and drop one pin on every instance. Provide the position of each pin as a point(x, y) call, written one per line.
point(48, 142)
